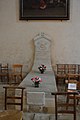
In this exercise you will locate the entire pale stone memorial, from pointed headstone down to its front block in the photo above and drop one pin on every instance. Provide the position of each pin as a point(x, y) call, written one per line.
point(42, 43)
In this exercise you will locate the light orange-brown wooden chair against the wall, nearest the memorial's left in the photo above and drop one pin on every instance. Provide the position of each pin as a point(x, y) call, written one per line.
point(16, 73)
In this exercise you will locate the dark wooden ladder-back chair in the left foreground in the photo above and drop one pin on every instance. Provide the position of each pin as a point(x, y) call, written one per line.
point(10, 98)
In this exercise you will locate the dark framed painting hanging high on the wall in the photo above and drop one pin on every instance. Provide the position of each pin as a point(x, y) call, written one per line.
point(44, 9)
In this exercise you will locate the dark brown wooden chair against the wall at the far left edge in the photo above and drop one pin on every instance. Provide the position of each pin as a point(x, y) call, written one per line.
point(4, 72)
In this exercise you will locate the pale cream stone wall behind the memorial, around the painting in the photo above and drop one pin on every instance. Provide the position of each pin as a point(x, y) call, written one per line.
point(16, 44)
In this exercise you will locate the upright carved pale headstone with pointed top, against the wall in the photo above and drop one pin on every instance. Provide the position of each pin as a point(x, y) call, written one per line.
point(42, 44)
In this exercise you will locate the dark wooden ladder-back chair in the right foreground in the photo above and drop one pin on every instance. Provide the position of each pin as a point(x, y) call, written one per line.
point(61, 106)
